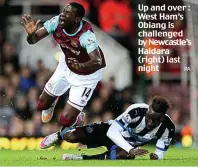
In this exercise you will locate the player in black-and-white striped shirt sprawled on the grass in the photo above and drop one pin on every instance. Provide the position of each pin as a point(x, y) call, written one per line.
point(137, 126)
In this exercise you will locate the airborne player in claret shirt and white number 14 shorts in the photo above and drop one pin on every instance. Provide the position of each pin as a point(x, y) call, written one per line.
point(80, 66)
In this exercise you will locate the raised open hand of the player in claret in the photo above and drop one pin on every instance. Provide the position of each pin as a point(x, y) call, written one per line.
point(29, 24)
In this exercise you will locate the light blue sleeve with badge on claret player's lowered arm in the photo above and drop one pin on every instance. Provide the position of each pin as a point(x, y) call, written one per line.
point(88, 41)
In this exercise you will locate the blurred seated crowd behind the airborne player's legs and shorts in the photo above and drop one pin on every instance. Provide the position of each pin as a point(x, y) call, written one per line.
point(21, 86)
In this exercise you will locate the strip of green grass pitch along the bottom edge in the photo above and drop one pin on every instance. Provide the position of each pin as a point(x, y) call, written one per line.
point(174, 157)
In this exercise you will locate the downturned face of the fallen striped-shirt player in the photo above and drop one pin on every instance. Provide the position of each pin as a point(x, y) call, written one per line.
point(153, 119)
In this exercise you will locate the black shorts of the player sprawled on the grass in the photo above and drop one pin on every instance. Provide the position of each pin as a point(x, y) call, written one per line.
point(96, 135)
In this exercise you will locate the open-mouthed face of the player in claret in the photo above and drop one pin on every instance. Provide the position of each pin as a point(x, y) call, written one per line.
point(68, 17)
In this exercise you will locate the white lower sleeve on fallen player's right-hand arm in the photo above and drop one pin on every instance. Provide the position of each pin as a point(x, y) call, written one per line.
point(163, 142)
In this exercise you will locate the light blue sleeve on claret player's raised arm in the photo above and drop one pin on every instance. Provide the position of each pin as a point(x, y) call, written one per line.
point(51, 24)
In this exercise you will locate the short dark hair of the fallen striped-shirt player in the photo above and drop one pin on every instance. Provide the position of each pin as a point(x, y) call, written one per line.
point(160, 104)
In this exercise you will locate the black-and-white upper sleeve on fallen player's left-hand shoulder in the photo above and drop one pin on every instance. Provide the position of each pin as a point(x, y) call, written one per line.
point(131, 115)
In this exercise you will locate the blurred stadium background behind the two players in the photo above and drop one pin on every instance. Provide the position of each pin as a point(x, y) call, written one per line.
point(25, 69)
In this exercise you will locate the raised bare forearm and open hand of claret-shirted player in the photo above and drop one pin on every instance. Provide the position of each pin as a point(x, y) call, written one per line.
point(32, 28)
